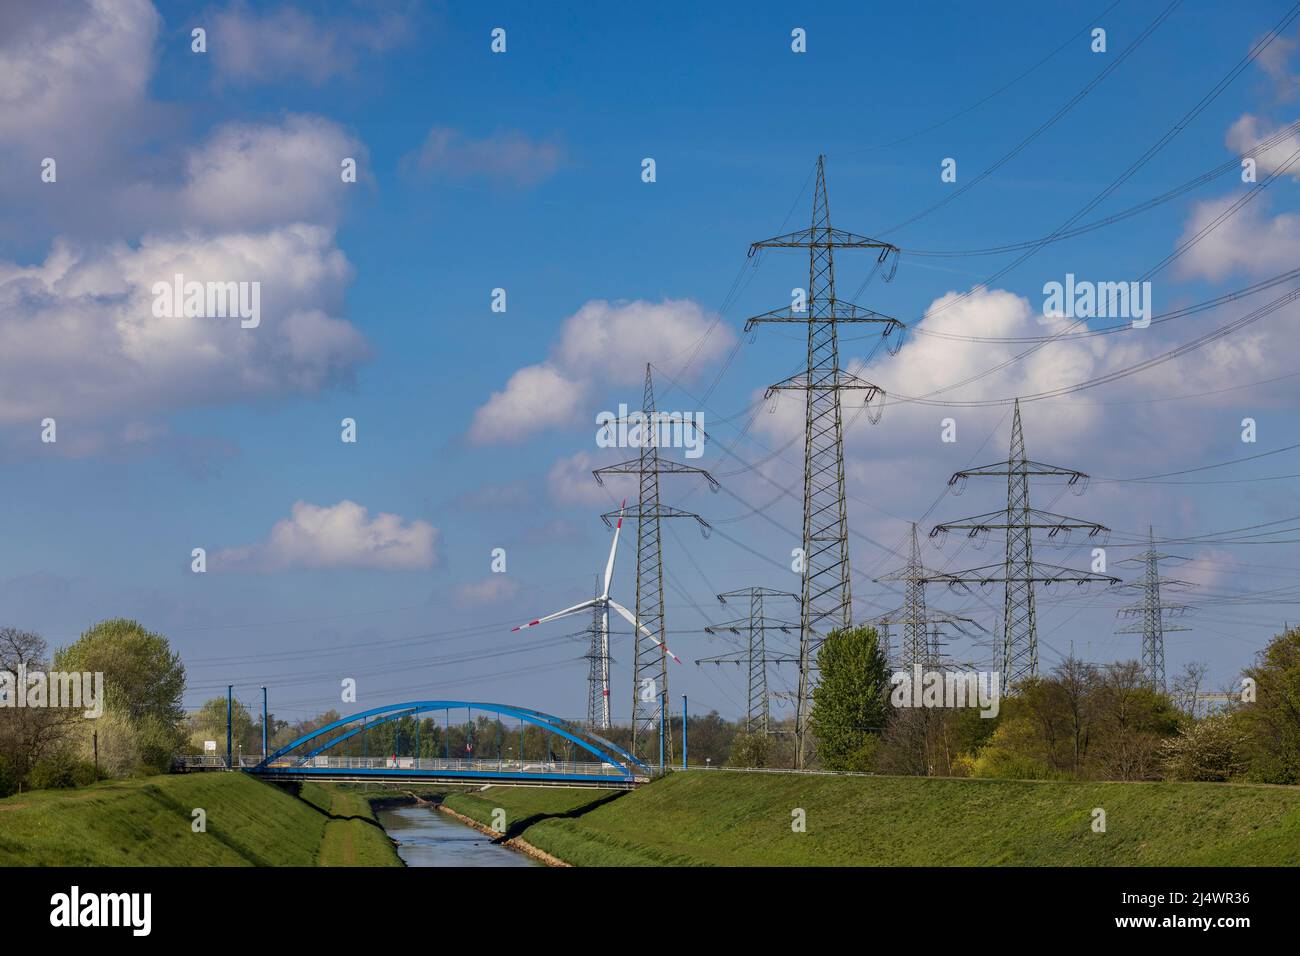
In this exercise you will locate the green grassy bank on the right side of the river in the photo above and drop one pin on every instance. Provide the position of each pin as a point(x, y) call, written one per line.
point(743, 820)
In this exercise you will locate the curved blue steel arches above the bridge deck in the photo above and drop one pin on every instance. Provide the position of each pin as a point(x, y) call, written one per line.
point(599, 747)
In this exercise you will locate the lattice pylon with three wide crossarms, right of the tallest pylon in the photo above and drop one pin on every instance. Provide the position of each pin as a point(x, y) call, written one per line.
point(1020, 573)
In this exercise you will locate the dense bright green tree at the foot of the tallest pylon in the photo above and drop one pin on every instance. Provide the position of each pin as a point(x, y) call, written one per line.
point(852, 700)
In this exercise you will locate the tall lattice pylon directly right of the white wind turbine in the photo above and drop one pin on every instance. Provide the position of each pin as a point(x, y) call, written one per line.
point(651, 663)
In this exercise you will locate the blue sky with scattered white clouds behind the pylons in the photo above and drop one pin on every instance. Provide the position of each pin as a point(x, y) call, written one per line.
point(523, 171)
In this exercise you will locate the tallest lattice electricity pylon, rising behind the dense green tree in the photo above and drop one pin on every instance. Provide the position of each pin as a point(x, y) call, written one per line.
point(826, 602)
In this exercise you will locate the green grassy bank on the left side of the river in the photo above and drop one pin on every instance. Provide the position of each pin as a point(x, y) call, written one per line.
point(148, 823)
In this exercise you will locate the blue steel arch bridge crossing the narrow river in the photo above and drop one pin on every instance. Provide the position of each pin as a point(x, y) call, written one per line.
point(567, 756)
